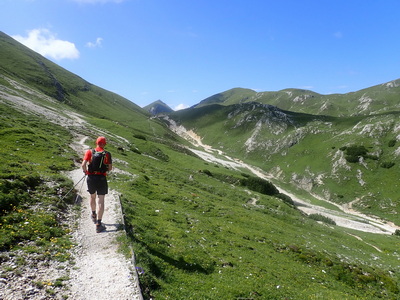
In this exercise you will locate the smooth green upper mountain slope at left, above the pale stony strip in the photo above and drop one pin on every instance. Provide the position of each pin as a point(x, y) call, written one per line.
point(22, 65)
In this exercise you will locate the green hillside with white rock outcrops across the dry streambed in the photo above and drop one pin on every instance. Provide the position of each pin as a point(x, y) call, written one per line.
point(343, 159)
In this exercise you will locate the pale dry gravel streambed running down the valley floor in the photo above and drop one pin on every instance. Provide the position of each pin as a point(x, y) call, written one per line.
point(344, 216)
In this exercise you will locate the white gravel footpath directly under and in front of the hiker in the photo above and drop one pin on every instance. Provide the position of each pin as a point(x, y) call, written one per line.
point(100, 271)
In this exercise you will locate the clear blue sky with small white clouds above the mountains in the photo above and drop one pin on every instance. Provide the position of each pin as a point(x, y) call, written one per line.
point(183, 51)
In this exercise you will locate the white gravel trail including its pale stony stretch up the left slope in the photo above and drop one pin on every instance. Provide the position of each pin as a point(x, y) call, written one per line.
point(100, 272)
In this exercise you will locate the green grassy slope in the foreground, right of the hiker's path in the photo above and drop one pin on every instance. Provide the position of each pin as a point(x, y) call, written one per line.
point(198, 235)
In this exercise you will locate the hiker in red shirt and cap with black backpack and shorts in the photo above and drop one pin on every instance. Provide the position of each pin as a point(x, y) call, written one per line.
point(96, 163)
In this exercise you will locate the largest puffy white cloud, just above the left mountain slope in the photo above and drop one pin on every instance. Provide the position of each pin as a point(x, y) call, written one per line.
point(45, 43)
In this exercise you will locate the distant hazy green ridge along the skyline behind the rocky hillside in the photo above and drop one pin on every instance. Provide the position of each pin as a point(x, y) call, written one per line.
point(381, 98)
